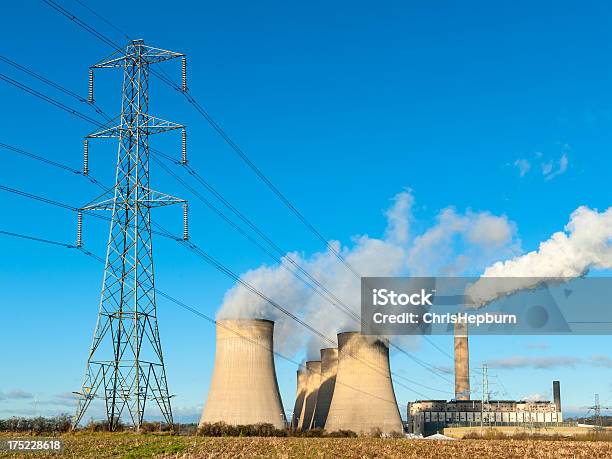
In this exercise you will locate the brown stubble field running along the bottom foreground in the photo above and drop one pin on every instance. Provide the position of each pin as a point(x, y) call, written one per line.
point(127, 445)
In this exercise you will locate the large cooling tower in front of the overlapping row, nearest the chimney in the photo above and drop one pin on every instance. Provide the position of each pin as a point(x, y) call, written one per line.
point(363, 397)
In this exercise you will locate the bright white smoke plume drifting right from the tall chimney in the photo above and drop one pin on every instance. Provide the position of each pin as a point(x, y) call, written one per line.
point(585, 243)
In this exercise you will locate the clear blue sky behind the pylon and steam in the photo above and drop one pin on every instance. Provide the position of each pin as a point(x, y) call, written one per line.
point(343, 106)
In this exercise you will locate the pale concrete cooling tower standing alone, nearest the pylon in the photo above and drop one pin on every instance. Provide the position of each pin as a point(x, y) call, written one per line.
point(244, 389)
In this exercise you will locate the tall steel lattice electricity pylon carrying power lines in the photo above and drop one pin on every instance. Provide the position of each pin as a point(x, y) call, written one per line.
point(125, 365)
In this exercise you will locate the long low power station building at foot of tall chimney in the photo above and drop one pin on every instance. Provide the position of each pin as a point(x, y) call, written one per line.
point(429, 416)
